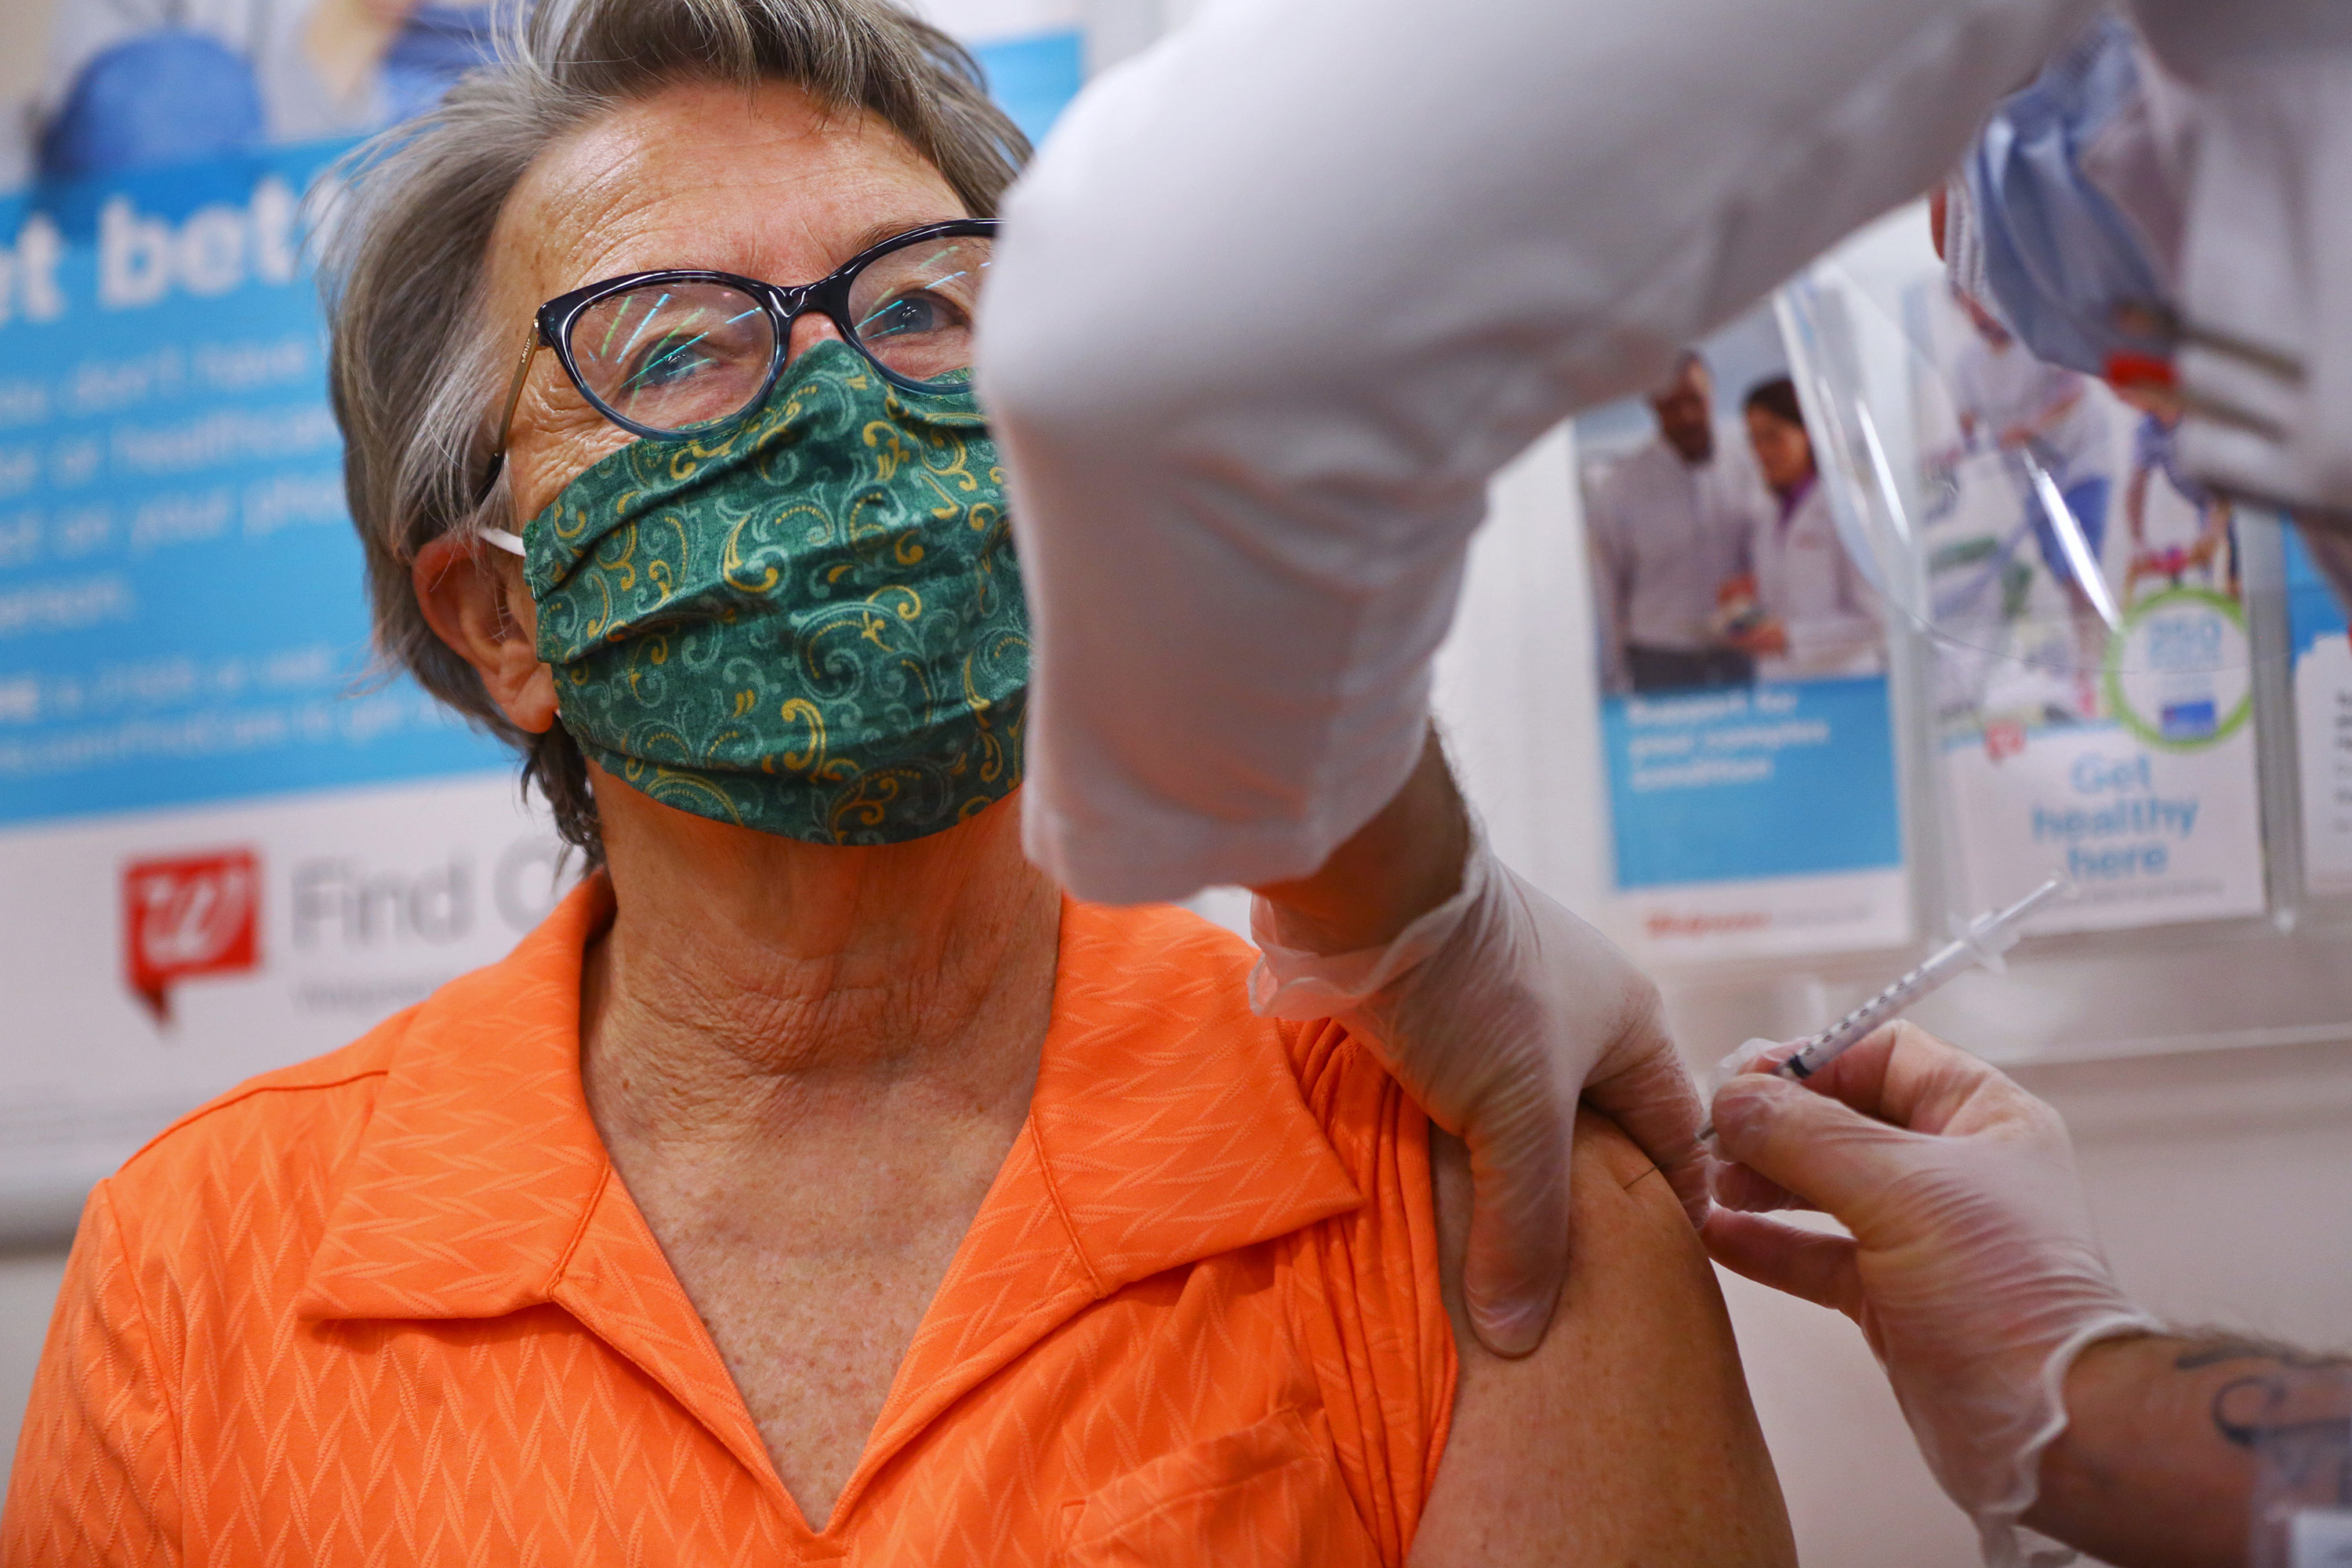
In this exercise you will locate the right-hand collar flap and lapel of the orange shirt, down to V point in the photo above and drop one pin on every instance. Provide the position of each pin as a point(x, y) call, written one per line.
point(1168, 1127)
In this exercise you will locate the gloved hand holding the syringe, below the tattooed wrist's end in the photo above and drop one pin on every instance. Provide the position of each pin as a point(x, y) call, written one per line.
point(1972, 1266)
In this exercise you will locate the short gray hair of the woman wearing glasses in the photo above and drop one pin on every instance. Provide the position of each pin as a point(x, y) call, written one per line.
point(417, 368)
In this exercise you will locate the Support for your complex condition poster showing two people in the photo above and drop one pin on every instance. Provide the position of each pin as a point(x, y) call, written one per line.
point(1746, 725)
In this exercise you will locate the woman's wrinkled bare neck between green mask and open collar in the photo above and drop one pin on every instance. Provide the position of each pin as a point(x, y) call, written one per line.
point(751, 981)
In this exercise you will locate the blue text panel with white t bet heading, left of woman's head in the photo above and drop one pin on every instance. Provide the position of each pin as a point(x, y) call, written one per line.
point(182, 612)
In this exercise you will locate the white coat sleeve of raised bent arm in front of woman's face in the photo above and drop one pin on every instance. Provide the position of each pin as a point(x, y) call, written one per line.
point(1281, 297)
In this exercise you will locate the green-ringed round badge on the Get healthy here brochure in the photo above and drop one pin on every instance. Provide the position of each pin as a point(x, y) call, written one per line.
point(2179, 671)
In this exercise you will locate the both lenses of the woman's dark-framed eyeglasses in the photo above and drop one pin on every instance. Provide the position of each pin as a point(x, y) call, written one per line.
point(681, 356)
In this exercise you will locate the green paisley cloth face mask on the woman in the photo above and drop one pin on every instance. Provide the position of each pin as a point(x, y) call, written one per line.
point(806, 622)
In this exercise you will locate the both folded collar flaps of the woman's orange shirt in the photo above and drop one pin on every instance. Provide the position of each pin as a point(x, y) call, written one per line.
point(1168, 1125)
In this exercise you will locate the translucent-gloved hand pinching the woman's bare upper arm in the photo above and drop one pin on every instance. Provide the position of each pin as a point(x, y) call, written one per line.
point(1495, 1012)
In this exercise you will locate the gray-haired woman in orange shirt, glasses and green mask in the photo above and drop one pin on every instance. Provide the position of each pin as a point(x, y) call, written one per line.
point(815, 1184)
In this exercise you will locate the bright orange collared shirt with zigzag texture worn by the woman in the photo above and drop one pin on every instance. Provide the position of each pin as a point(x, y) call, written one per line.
point(396, 1308)
